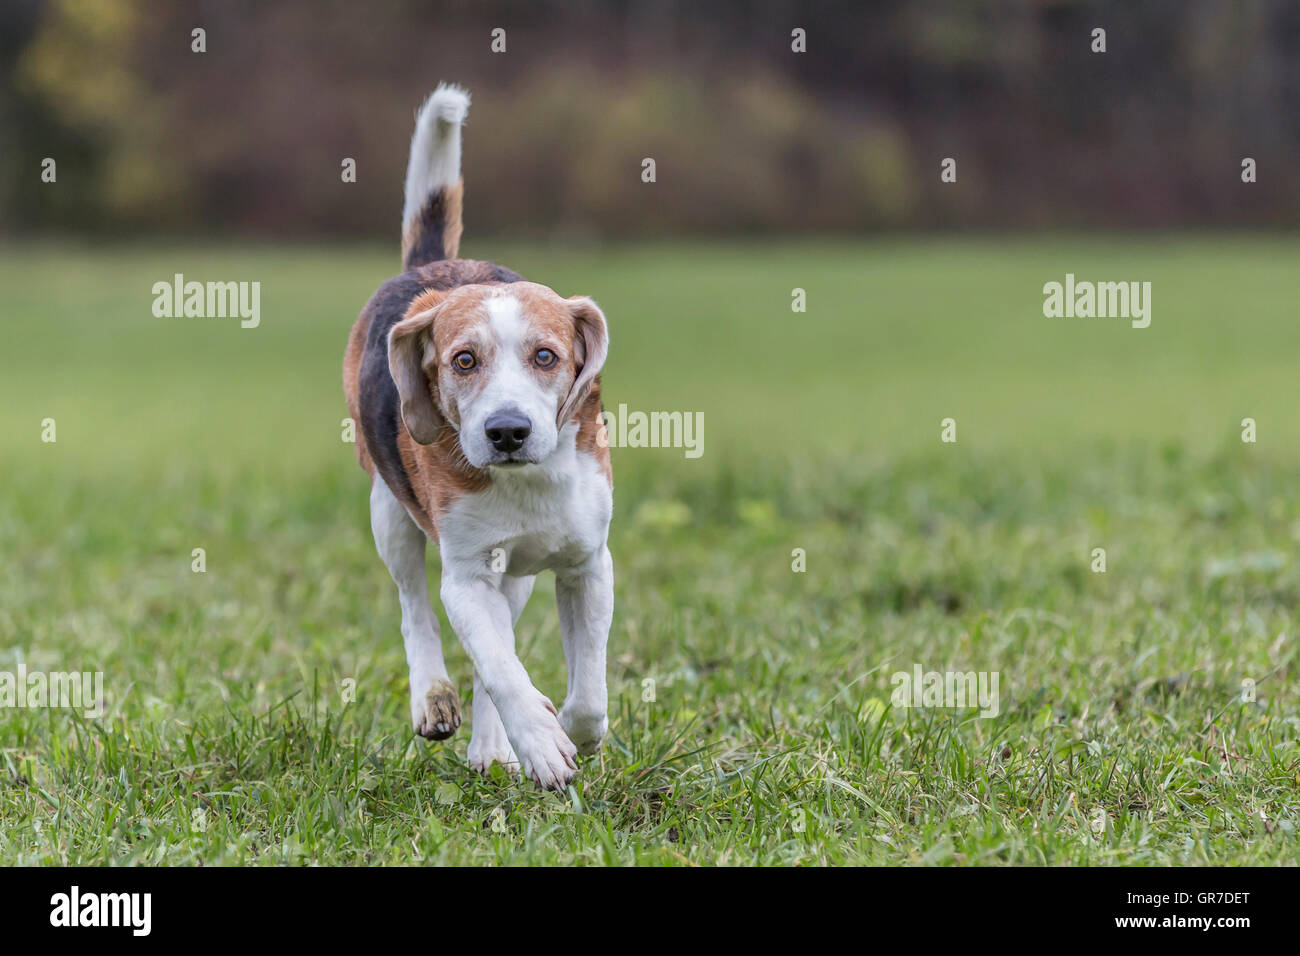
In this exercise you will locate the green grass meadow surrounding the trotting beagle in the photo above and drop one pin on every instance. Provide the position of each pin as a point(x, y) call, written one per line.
point(236, 734)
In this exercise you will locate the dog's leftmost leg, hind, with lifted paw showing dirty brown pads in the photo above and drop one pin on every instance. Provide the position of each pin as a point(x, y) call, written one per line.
point(435, 706)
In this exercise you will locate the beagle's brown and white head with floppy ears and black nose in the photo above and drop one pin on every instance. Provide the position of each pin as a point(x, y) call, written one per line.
point(506, 366)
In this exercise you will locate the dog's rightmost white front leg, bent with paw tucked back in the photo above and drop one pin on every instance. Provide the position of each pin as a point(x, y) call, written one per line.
point(586, 600)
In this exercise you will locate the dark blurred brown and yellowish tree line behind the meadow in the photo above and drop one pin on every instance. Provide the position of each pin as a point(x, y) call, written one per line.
point(748, 136)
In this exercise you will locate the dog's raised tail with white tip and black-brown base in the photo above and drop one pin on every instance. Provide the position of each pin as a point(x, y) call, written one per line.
point(431, 217)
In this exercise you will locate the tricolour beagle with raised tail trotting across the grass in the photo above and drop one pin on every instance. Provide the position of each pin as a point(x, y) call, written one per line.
point(478, 397)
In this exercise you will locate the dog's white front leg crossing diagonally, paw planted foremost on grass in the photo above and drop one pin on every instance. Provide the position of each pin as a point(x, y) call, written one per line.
point(480, 615)
